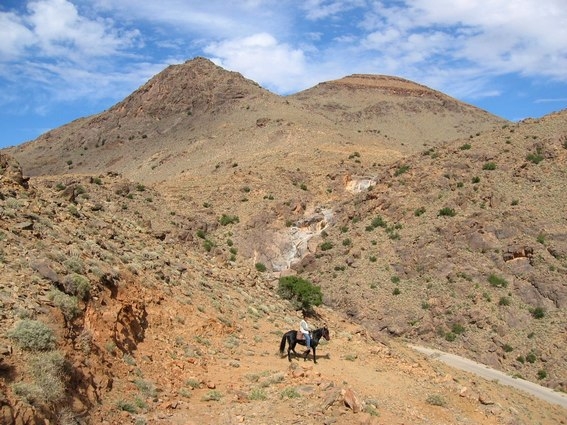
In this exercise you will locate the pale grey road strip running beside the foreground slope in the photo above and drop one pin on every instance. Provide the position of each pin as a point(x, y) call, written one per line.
point(484, 371)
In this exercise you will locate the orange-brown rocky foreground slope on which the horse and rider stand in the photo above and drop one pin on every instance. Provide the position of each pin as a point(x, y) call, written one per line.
point(166, 335)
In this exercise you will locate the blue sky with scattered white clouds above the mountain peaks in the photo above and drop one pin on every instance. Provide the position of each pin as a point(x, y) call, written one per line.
point(65, 59)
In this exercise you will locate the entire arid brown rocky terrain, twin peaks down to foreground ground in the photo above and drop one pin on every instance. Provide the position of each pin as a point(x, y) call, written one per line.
point(150, 239)
